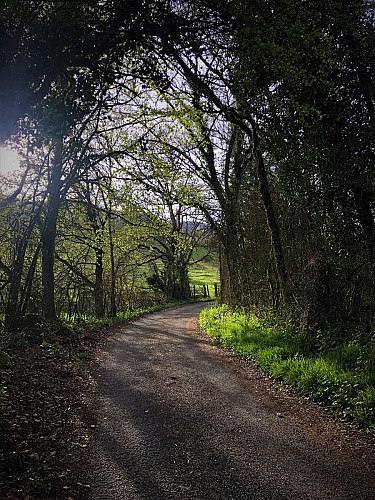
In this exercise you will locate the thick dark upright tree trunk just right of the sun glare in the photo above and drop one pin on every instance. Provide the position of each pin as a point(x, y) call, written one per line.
point(48, 238)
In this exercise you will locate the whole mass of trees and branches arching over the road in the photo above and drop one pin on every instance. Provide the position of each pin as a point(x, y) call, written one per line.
point(254, 118)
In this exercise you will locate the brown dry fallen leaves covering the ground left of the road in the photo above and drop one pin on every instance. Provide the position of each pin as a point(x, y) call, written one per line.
point(44, 420)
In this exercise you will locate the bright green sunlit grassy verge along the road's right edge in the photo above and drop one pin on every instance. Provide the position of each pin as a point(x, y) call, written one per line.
point(332, 369)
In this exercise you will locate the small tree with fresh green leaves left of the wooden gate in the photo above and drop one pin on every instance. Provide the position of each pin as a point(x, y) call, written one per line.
point(161, 187)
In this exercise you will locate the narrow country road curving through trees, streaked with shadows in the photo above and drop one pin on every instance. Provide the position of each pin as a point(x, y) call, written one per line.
point(177, 423)
